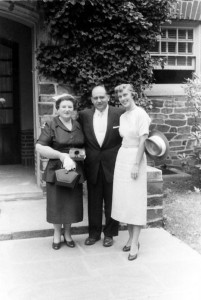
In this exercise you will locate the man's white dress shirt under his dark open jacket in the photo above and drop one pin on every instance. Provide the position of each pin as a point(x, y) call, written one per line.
point(100, 124)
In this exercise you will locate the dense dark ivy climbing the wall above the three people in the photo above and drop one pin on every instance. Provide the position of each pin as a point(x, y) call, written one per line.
point(106, 42)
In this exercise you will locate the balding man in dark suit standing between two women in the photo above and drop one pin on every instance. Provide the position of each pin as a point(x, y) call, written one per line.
point(102, 142)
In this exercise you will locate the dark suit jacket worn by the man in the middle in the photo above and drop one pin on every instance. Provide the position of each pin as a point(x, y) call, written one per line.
point(106, 154)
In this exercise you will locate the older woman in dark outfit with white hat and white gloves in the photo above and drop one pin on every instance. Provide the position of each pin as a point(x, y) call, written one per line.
point(64, 205)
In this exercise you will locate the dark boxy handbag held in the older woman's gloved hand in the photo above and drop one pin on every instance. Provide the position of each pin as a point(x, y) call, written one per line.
point(67, 178)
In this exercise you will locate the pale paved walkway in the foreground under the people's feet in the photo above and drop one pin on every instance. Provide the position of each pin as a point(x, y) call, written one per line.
point(166, 269)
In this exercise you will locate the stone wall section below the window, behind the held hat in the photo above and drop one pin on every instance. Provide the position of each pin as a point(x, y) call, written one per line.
point(171, 116)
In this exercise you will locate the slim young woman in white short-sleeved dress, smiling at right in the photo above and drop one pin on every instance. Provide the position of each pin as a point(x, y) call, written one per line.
point(130, 176)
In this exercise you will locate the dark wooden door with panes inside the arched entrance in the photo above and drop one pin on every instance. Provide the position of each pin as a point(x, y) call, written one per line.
point(9, 104)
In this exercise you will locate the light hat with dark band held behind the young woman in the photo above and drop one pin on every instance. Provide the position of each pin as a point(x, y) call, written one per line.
point(157, 145)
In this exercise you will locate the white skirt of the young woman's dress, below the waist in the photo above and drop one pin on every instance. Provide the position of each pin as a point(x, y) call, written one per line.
point(129, 195)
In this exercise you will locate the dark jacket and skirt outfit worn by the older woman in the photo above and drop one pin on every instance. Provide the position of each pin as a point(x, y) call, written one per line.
point(64, 205)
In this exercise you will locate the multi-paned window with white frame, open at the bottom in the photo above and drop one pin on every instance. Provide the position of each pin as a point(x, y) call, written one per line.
point(176, 47)
